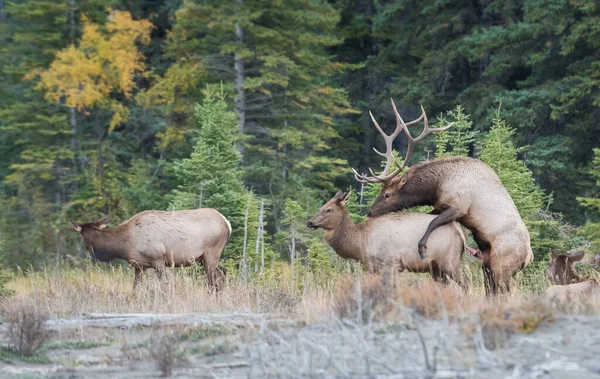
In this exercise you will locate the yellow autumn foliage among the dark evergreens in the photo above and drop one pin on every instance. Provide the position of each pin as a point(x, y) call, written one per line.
point(106, 61)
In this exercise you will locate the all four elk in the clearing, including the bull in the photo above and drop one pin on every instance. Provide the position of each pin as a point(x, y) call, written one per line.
point(462, 191)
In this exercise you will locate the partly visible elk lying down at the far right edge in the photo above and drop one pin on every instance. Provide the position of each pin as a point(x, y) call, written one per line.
point(569, 285)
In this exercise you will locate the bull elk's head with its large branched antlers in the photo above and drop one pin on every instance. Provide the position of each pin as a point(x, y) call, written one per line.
point(397, 191)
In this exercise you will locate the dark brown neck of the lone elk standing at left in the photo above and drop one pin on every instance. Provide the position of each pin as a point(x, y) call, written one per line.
point(108, 244)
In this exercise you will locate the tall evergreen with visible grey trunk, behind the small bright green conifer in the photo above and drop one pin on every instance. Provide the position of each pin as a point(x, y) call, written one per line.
point(273, 57)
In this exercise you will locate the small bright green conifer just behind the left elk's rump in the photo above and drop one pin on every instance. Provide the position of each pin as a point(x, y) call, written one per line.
point(210, 177)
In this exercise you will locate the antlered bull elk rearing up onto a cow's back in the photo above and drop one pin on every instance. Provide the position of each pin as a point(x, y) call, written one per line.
point(460, 189)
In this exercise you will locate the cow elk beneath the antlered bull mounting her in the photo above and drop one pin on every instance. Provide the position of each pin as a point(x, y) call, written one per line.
point(391, 240)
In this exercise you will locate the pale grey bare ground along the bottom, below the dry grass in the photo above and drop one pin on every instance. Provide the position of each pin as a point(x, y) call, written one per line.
point(232, 345)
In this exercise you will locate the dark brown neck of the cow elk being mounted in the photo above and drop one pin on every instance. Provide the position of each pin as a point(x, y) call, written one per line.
point(347, 239)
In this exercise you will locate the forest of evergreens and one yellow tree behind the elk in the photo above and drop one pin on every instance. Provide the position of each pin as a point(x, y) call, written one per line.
point(259, 108)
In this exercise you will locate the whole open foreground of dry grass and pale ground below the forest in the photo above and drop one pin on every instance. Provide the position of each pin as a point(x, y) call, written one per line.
point(96, 326)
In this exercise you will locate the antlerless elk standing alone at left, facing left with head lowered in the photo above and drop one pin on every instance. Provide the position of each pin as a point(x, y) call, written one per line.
point(159, 239)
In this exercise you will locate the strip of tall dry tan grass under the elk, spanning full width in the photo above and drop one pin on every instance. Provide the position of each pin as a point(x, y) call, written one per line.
point(72, 292)
